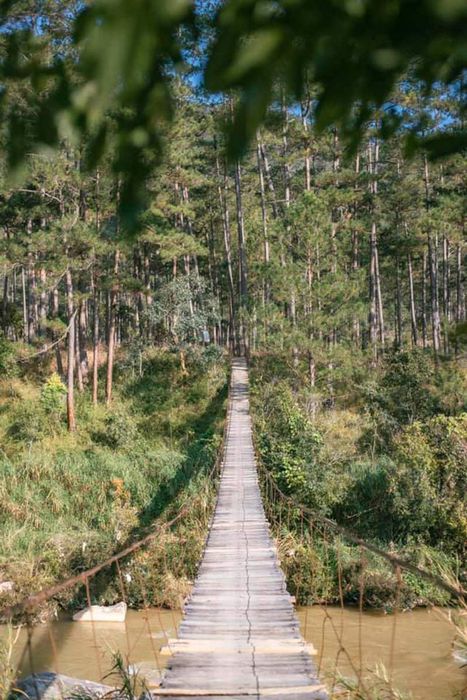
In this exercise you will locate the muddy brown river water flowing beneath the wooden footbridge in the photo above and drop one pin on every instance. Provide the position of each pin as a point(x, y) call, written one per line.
point(422, 662)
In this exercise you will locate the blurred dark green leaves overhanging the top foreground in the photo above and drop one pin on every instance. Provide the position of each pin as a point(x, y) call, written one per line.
point(342, 59)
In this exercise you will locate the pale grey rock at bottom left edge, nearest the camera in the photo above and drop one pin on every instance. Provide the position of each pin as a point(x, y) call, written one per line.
point(53, 686)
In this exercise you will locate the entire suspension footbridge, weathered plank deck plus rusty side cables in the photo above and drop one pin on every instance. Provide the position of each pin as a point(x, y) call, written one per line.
point(239, 636)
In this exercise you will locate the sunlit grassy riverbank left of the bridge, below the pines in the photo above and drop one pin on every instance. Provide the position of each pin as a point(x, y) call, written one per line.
point(70, 501)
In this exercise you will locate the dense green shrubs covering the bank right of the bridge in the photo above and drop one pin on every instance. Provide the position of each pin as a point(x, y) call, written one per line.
point(389, 464)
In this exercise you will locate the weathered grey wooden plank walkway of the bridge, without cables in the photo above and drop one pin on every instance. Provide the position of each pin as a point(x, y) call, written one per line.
point(240, 636)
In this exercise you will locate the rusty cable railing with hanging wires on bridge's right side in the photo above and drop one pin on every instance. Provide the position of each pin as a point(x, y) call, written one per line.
point(315, 543)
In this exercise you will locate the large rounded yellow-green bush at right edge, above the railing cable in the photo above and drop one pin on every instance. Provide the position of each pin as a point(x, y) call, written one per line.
point(418, 493)
